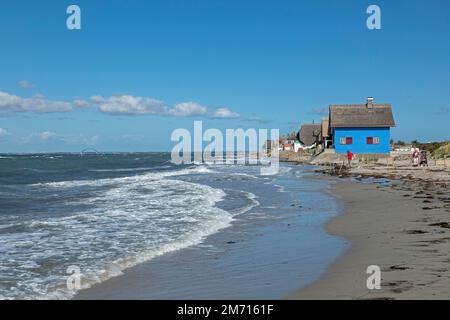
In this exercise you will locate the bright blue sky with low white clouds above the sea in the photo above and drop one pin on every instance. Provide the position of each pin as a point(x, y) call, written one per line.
point(137, 70)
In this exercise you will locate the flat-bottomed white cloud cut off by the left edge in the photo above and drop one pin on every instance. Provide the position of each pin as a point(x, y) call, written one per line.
point(38, 104)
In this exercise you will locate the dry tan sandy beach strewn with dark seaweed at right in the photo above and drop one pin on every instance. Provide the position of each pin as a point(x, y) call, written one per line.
point(402, 228)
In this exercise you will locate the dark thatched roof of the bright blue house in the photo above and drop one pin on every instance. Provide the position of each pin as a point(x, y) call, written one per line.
point(360, 115)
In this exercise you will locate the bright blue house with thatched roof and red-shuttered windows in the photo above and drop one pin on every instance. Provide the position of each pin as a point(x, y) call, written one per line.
point(361, 128)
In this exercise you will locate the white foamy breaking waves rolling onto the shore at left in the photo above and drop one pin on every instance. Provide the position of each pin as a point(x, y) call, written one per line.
point(125, 221)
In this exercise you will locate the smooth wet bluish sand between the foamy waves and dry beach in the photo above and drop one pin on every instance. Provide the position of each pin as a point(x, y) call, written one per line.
point(252, 259)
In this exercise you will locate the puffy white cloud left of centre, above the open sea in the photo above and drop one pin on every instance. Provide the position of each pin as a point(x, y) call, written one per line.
point(126, 104)
